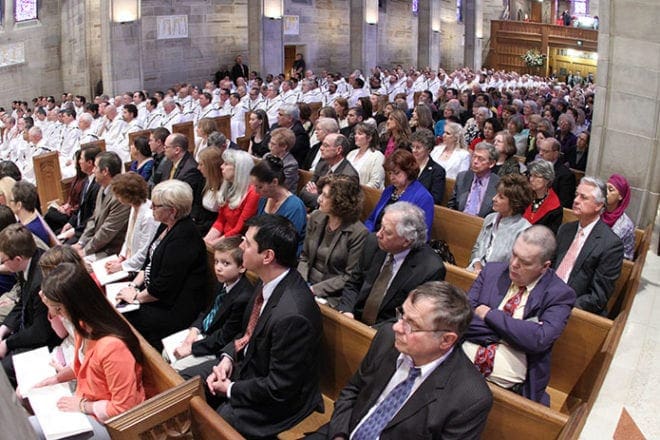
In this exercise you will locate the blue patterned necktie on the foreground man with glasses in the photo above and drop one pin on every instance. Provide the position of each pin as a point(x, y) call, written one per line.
point(373, 426)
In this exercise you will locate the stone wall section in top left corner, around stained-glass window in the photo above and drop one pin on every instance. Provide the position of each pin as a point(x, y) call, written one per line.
point(41, 71)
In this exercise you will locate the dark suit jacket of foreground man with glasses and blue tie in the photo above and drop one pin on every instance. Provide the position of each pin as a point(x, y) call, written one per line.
point(452, 403)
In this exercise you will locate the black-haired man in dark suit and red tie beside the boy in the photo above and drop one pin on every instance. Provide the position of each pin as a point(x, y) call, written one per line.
point(270, 376)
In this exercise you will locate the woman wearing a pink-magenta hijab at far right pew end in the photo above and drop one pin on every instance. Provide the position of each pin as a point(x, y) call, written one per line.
point(618, 197)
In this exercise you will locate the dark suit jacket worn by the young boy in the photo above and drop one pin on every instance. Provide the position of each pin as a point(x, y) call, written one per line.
point(227, 322)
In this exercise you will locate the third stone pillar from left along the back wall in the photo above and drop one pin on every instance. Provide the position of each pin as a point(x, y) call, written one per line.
point(363, 39)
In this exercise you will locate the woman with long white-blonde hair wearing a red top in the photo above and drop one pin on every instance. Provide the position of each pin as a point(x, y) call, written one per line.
point(237, 198)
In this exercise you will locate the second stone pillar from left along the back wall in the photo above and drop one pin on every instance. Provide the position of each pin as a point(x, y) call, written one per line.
point(266, 43)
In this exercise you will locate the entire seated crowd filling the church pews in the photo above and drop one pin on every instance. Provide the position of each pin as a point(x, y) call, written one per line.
point(506, 142)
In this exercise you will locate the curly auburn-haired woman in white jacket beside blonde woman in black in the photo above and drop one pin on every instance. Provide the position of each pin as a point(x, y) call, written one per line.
point(131, 189)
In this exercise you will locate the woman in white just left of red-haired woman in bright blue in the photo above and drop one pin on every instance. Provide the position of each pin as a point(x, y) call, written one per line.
point(367, 159)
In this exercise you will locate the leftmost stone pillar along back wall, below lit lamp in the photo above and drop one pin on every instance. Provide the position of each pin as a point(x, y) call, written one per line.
point(121, 53)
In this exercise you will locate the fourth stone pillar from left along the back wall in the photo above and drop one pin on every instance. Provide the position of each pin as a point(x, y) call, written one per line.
point(428, 46)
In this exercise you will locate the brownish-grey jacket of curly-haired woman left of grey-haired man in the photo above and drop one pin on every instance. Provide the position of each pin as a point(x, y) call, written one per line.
point(343, 260)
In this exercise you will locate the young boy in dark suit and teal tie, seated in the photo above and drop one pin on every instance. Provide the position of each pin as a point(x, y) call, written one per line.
point(221, 323)
